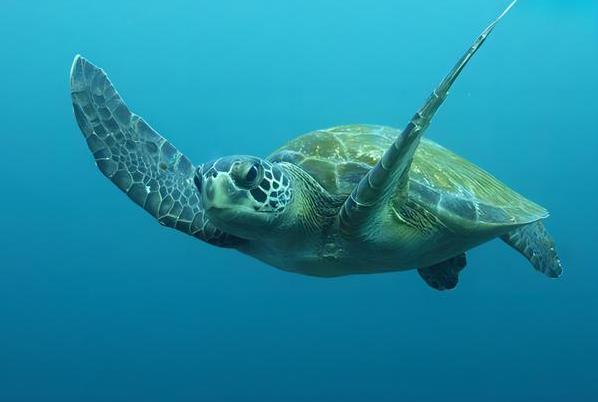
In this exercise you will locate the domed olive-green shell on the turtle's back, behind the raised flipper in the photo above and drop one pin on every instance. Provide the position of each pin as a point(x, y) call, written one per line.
point(440, 181)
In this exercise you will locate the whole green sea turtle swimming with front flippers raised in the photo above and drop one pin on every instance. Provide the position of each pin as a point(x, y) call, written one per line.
point(346, 200)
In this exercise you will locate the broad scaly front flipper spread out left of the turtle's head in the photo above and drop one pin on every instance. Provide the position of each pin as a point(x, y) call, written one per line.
point(152, 172)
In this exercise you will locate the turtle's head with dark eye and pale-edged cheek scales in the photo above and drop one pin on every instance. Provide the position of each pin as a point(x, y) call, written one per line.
point(243, 195)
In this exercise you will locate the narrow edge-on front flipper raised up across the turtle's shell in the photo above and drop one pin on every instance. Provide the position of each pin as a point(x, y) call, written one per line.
point(391, 171)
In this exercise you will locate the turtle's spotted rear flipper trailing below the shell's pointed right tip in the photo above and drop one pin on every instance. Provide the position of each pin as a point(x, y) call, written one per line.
point(535, 243)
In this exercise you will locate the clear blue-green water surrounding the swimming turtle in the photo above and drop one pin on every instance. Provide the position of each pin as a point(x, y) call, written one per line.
point(99, 303)
